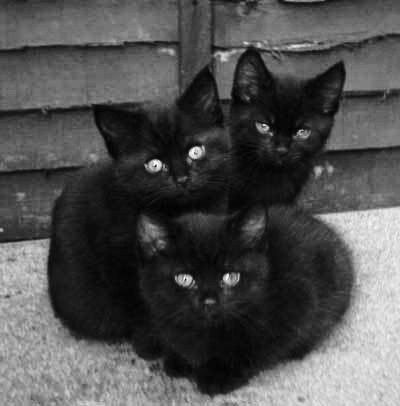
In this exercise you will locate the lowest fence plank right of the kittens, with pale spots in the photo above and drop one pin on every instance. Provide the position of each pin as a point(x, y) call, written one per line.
point(354, 181)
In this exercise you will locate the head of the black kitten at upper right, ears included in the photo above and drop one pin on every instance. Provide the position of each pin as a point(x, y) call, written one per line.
point(281, 121)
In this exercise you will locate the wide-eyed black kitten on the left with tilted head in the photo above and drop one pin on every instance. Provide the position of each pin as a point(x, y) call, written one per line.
point(164, 160)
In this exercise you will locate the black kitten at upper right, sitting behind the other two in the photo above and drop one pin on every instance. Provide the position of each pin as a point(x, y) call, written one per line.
point(278, 125)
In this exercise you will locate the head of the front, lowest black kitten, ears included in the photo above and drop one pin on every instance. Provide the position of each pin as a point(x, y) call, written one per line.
point(201, 270)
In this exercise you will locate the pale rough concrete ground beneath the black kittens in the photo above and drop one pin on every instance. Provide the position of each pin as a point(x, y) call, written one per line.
point(42, 364)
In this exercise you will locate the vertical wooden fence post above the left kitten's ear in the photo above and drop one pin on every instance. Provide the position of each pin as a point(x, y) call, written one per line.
point(195, 32)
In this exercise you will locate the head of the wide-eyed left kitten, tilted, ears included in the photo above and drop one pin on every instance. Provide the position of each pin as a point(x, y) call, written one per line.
point(169, 156)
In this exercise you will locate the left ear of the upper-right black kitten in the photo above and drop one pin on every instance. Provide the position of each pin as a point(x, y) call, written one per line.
point(251, 79)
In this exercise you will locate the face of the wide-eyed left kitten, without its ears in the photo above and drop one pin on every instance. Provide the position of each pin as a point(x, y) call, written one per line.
point(175, 160)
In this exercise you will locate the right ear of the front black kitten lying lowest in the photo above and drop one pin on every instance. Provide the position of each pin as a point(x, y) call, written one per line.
point(251, 226)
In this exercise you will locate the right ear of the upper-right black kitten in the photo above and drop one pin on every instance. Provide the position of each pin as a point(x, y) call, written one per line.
point(326, 89)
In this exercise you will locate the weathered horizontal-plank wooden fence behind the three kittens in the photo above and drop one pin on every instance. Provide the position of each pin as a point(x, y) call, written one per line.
point(57, 58)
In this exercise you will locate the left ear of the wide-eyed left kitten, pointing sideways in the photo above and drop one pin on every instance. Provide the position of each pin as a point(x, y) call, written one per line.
point(117, 127)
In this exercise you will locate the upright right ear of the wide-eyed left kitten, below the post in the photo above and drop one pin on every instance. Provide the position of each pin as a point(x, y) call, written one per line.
point(201, 99)
